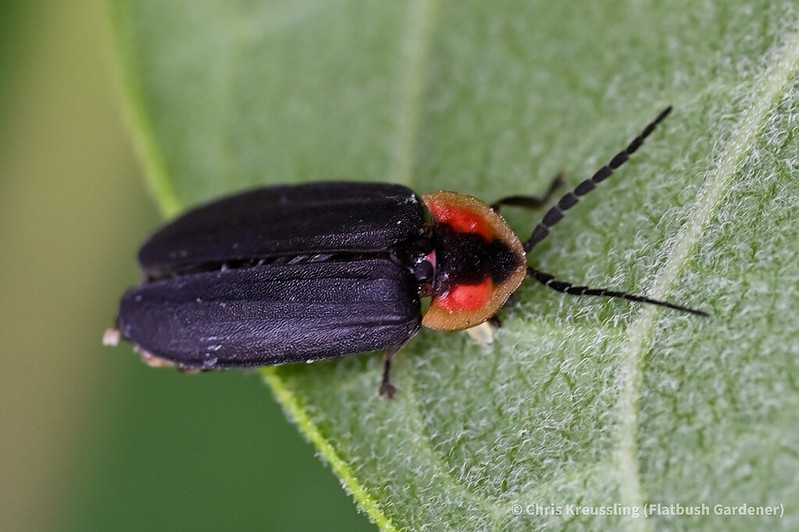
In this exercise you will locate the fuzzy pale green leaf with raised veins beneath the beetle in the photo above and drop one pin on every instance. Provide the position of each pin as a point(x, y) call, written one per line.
point(578, 401)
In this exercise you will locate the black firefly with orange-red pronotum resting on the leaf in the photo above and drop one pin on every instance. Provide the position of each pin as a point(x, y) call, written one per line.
point(299, 273)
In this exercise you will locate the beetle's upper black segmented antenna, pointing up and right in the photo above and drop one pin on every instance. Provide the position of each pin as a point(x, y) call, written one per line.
point(569, 200)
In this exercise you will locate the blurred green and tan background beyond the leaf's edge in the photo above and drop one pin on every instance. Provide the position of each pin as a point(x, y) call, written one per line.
point(91, 438)
